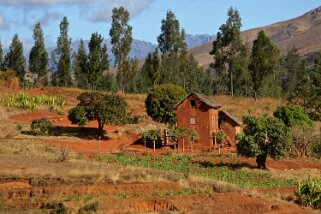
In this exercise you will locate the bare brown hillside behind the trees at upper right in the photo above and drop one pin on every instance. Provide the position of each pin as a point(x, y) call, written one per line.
point(302, 32)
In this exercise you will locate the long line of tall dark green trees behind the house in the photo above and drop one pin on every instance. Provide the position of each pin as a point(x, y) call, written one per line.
point(237, 69)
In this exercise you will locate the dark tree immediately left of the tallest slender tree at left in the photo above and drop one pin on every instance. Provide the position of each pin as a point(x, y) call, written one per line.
point(97, 60)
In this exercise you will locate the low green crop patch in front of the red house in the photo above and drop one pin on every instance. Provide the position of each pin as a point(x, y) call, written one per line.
point(185, 164)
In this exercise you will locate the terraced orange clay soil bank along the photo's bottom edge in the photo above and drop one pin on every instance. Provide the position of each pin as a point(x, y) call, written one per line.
point(138, 198)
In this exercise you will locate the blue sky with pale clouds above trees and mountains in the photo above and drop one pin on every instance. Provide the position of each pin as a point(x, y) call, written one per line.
point(89, 16)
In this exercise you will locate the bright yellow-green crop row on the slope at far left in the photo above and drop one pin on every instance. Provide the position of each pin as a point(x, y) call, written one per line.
point(32, 102)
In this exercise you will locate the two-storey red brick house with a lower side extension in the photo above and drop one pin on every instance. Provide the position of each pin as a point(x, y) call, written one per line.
point(200, 113)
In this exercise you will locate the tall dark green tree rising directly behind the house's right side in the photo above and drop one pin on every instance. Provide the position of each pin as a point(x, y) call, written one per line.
point(229, 54)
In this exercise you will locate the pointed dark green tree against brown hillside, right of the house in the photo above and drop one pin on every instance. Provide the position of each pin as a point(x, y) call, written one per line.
point(263, 61)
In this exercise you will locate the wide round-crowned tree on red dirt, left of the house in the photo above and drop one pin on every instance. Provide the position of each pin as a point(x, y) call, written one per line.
point(104, 108)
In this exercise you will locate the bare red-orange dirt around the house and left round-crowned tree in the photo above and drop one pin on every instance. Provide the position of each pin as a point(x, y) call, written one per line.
point(126, 141)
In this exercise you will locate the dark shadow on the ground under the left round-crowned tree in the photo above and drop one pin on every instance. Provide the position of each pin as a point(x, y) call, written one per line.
point(79, 132)
